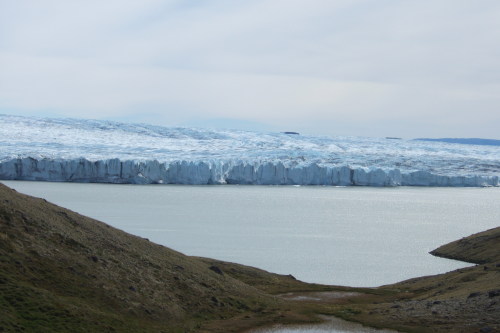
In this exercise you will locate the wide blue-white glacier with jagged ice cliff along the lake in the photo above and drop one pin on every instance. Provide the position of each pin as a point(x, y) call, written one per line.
point(103, 151)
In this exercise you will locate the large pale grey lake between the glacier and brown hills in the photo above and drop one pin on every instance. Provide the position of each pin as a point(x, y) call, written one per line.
point(356, 236)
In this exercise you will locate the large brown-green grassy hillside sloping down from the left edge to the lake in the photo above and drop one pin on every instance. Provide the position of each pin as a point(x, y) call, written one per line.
point(63, 272)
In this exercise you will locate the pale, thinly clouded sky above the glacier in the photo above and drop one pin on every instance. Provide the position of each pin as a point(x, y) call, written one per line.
point(404, 68)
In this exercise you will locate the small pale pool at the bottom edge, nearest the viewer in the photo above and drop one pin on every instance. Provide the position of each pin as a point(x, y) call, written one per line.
point(331, 325)
